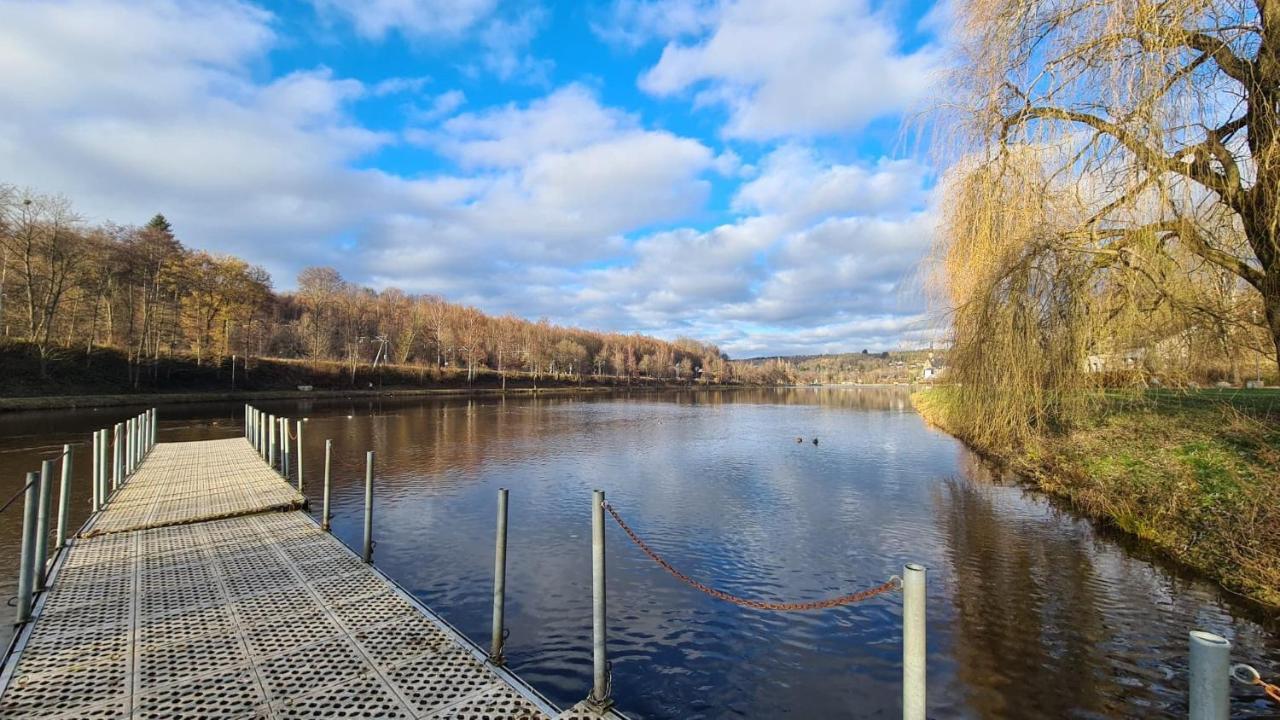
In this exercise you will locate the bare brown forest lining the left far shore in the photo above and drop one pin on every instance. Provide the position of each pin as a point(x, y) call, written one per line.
point(70, 290)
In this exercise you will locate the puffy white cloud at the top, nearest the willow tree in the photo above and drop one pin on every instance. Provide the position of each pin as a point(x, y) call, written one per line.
point(785, 69)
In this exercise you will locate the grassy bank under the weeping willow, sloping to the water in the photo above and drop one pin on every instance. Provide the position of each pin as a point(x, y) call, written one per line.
point(1196, 475)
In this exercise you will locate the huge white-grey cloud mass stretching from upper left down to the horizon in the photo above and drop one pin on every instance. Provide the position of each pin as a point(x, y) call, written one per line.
point(559, 206)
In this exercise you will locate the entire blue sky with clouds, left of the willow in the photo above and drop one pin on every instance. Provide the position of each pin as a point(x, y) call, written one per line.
point(732, 171)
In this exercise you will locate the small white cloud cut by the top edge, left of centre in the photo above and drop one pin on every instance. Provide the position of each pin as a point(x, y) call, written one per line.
point(413, 19)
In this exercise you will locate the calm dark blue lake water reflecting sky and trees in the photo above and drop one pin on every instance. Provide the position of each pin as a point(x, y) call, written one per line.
point(1032, 612)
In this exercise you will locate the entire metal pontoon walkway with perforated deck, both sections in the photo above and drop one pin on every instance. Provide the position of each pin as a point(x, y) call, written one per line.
point(202, 591)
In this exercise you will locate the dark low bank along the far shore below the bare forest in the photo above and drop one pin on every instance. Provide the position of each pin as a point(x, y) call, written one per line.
point(108, 380)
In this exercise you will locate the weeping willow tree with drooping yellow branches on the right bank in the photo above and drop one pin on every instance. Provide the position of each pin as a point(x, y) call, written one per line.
point(1113, 161)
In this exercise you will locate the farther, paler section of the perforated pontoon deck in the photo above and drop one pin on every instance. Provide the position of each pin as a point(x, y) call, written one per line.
point(189, 482)
